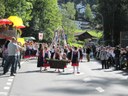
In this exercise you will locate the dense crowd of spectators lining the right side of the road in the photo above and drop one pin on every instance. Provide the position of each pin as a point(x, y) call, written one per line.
point(112, 57)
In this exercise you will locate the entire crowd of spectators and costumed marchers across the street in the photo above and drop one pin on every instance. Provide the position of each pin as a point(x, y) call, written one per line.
point(13, 51)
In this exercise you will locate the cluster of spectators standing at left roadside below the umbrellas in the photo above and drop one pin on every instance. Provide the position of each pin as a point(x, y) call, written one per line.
point(11, 56)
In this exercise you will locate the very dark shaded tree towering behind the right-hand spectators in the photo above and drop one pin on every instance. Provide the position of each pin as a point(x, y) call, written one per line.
point(115, 18)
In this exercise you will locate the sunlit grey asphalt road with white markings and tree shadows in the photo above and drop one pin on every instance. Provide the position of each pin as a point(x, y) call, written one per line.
point(92, 81)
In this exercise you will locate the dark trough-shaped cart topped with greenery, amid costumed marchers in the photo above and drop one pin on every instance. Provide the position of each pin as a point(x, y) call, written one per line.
point(54, 63)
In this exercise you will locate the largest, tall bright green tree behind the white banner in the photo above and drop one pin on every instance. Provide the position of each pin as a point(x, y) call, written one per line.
point(46, 18)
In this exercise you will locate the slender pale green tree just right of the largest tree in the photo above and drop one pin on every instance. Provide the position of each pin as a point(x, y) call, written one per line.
point(68, 16)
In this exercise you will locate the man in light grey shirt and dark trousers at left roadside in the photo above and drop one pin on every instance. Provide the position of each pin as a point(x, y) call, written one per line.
point(12, 50)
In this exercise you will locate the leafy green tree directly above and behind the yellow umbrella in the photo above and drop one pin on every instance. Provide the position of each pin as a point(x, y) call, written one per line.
point(22, 8)
